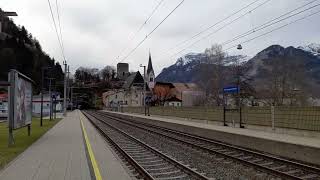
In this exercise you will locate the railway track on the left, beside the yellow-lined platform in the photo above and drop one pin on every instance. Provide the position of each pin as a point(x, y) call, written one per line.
point(147, 161)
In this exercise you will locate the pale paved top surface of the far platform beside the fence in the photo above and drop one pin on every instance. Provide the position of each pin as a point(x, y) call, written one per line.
point(305, 141)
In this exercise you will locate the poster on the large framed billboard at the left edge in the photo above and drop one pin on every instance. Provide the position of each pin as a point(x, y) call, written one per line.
point(21, 97)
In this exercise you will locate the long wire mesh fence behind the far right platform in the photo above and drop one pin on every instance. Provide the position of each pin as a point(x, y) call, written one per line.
point(304, 118)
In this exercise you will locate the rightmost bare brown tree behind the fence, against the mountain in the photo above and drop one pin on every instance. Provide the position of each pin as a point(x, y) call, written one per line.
point(286, 82)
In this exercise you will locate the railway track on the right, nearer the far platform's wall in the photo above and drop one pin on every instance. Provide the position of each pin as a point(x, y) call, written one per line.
point(279, 167)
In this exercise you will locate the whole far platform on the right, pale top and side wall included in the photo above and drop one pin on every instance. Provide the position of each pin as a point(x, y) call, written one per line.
point(305, 149)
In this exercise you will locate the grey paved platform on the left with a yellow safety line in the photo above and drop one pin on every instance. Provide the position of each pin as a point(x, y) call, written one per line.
point(72, 149)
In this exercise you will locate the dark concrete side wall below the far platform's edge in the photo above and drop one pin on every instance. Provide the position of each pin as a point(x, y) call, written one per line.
point(292, 151)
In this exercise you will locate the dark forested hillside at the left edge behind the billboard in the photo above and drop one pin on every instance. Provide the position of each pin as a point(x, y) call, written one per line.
point(20, 50)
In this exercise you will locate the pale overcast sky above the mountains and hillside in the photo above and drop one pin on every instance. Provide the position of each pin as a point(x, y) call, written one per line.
point(96, 31)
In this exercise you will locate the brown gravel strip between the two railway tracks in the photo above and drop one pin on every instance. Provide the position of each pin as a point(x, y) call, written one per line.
point(212, 166)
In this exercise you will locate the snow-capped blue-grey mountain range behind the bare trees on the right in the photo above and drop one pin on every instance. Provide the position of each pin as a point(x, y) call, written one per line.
point(191, 67)
